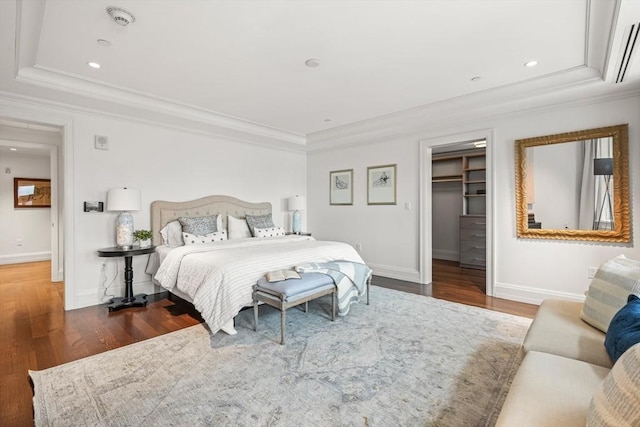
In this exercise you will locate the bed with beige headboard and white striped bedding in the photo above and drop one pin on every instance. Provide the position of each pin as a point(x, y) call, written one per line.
point(217, 277)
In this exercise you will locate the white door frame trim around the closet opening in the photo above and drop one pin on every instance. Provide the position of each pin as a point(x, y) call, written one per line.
point(426, 238)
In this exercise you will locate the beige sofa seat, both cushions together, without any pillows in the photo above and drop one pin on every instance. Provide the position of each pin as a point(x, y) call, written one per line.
point(565, 361)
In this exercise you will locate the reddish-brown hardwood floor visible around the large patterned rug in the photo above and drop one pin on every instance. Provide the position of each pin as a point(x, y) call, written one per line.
point(36, 333)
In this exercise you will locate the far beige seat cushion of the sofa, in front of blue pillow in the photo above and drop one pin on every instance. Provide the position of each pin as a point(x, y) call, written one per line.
point(557, 329)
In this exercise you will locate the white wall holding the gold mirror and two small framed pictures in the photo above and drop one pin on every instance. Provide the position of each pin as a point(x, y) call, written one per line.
point(526, 270)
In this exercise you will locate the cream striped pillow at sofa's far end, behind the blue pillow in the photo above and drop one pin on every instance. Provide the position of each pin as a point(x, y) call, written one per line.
point(609, 289)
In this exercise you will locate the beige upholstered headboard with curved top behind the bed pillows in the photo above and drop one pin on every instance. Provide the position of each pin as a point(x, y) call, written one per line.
point(163, 212)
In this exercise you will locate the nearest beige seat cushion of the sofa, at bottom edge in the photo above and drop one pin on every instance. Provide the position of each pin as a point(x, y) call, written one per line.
point(550, 390)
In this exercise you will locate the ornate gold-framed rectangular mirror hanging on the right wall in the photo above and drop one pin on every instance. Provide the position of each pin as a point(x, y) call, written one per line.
point(574, 186)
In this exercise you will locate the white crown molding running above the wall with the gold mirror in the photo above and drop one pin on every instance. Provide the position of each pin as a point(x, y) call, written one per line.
point(582, 85)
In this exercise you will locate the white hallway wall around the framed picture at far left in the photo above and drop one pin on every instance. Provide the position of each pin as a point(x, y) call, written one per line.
point(30, 226)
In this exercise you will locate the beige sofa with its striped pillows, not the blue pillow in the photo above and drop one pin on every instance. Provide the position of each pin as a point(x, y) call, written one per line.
point(564, 379)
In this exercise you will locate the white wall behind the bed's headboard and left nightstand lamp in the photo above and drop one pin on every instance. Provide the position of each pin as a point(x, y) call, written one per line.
point(164, 164)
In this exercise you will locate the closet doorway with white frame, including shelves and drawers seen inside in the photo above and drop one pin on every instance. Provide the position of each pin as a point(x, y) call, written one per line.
point(456, 212)
